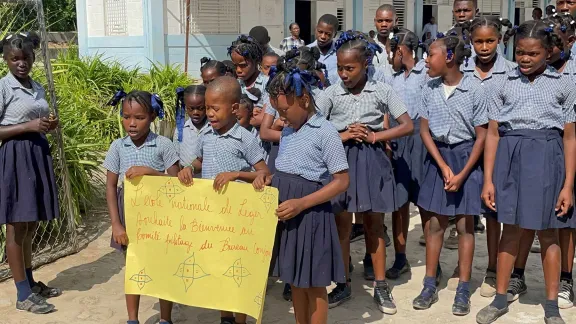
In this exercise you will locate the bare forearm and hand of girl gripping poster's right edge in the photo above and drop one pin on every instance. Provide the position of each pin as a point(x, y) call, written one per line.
point(291, 208)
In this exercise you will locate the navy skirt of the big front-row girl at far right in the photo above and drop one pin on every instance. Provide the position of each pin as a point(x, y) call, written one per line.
point(528, 176)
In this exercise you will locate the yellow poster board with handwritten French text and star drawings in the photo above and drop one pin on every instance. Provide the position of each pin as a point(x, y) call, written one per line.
point(198, 247)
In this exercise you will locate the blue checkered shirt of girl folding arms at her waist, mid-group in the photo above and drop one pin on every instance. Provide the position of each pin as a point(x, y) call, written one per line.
point(343, 108)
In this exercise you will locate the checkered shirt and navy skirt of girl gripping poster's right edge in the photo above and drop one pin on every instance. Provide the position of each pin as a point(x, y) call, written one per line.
point(307, 248)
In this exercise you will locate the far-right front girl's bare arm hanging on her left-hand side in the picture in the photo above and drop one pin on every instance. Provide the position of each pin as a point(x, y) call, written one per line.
point(490, 148)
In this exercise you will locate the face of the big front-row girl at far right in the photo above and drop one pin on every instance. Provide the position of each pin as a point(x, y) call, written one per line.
point(531, 56)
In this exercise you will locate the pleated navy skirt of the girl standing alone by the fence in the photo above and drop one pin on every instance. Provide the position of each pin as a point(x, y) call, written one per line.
point(28, 191)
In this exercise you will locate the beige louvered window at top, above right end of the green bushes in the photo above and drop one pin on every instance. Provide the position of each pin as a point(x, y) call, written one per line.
point(213, 16)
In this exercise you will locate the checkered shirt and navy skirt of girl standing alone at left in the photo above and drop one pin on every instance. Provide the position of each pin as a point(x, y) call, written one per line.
point(28, 191)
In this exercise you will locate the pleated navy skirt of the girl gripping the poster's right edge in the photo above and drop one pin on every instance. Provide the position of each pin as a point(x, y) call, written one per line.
point(307, 249)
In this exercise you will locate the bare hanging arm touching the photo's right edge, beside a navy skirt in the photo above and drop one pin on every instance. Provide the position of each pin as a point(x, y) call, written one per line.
point(565, 199)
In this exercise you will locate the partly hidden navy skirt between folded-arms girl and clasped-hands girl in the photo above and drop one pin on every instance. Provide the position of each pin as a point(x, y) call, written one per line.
point(409, 154)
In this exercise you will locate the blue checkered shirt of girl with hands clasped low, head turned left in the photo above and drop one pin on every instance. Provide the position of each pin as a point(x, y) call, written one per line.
point(452, 120)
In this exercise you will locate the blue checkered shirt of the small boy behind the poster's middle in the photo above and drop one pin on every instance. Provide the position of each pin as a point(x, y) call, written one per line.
point(236, 150)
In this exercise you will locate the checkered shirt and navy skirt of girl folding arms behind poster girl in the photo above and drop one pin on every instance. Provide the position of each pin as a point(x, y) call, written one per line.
point(372, 185)
